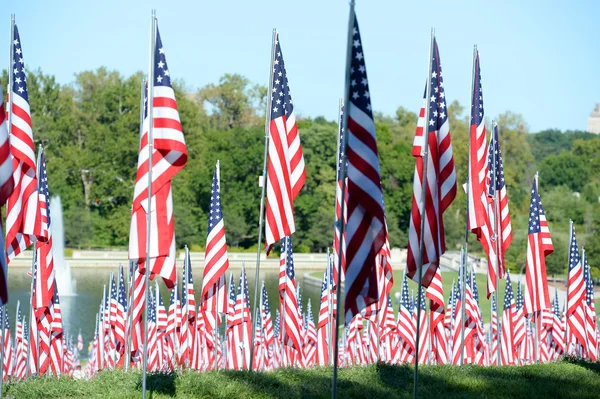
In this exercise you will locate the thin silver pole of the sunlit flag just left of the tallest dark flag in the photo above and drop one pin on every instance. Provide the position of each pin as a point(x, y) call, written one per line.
point(263, 180)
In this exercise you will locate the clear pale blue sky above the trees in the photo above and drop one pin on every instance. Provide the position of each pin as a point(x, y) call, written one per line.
point(538, 58)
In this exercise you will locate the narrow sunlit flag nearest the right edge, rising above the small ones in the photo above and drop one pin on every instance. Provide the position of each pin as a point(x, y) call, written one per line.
point(576, 289)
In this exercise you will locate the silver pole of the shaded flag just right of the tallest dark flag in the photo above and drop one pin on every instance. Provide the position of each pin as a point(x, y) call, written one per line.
point(425, 152)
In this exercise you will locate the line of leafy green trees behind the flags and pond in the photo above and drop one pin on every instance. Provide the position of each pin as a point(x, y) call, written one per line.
point(90, 131)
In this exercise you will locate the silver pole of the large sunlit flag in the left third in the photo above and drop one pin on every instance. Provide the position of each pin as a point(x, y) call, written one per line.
point(149, 213)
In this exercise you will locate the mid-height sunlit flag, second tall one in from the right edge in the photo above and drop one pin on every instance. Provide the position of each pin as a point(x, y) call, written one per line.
point(538, 247)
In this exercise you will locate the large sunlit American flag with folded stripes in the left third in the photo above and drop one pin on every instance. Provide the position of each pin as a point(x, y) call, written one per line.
point(169, 156)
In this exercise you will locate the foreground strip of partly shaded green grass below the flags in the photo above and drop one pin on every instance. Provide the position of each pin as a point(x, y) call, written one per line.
point(568, 379)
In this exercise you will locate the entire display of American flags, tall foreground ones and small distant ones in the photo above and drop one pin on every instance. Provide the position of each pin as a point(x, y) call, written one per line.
point(188, 335)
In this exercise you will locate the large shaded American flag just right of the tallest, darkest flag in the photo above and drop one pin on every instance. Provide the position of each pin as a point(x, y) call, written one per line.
point(441, 179)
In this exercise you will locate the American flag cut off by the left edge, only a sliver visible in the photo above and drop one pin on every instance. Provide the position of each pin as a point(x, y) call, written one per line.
point(6, 188)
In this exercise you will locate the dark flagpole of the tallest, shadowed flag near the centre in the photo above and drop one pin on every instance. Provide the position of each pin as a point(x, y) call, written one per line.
point(343, 172)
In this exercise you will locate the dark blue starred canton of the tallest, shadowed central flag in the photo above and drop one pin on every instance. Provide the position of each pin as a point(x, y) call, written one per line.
point(359, 84)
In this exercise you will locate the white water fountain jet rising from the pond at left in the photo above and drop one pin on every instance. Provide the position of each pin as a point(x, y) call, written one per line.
point(64, 281)
